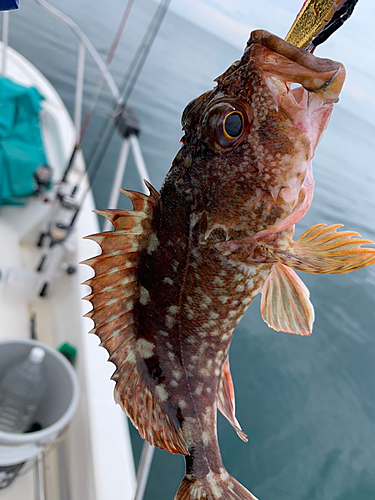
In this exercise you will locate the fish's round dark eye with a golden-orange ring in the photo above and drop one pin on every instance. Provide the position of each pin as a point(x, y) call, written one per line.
point(226, 123)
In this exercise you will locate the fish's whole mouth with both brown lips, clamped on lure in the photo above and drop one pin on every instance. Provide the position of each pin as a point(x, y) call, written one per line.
point(296, 65)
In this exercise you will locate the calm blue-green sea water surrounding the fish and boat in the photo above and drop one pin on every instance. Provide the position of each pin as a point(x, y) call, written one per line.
point(307, 404)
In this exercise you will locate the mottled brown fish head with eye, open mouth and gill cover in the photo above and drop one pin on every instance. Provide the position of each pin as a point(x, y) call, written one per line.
point(249, 142)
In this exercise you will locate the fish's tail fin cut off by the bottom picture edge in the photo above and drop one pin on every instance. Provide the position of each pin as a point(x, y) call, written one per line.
point(220, 486)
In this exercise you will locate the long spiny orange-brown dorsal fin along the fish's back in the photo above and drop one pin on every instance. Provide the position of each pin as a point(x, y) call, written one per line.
point(115, 289)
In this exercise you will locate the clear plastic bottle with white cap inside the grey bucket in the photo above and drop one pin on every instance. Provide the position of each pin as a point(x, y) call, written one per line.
point(21, 391)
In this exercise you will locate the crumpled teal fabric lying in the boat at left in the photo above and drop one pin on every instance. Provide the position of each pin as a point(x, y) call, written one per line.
point(21, 147)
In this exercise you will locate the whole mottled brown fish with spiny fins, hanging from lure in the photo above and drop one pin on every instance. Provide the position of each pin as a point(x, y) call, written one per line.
point(179, 270)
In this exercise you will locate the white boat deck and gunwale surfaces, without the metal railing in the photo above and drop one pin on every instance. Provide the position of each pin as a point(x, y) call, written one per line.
point(99, 457)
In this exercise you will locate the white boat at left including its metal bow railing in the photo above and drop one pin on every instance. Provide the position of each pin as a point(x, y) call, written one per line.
point(97, 460)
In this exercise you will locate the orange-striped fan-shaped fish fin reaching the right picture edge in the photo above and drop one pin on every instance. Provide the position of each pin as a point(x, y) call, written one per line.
point(323, 250)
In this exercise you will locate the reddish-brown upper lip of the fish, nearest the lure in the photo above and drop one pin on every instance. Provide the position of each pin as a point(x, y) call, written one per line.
point(293, 53)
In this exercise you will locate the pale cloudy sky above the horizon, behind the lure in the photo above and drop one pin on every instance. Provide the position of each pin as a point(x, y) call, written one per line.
point(353, 44)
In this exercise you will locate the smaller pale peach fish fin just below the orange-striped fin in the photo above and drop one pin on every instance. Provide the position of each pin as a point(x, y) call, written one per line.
point(285, 304)
